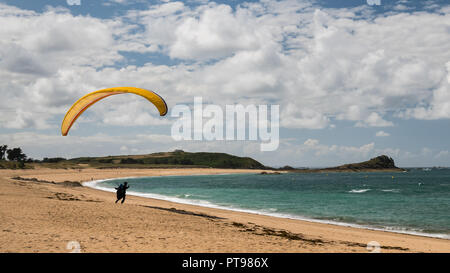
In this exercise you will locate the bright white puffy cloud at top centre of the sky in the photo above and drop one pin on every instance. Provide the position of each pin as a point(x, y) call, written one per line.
point(218, 32)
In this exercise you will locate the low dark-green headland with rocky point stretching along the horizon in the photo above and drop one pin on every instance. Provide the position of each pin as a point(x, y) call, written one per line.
point(181, 159)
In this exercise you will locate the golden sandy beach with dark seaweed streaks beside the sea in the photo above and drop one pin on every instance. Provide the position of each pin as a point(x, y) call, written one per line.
point(39, 216)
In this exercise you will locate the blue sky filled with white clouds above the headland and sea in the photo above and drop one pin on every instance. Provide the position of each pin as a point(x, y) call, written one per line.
point(353, 79)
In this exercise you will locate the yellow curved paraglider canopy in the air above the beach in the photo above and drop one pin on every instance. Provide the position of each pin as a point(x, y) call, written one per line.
point(87, 100)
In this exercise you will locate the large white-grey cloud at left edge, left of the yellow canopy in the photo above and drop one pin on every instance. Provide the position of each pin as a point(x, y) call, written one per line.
point(43, 56)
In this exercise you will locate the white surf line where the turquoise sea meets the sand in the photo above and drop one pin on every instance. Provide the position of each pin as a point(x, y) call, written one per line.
point(93, 185)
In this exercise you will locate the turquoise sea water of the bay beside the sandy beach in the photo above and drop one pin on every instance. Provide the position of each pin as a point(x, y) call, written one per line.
point(417, 201)
